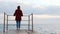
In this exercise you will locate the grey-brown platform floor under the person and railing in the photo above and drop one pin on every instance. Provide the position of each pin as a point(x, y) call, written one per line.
point(18, 32)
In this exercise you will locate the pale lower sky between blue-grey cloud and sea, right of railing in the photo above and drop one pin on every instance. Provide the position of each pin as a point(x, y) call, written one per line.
point(46, 19)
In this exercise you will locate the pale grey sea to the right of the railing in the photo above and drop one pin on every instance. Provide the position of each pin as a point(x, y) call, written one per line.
point(48, 28)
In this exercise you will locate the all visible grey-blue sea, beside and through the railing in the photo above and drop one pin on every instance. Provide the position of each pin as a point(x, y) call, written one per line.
point(40, 28)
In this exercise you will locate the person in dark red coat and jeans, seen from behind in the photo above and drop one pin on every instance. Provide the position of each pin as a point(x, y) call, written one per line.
point(18, 16)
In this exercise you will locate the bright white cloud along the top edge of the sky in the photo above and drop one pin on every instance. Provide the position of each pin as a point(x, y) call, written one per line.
point(36, 2)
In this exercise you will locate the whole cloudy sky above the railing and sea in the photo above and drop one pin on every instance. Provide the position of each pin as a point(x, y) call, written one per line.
point(43, 10)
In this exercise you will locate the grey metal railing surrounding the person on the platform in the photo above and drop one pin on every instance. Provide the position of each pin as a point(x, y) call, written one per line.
point(6, 24)
